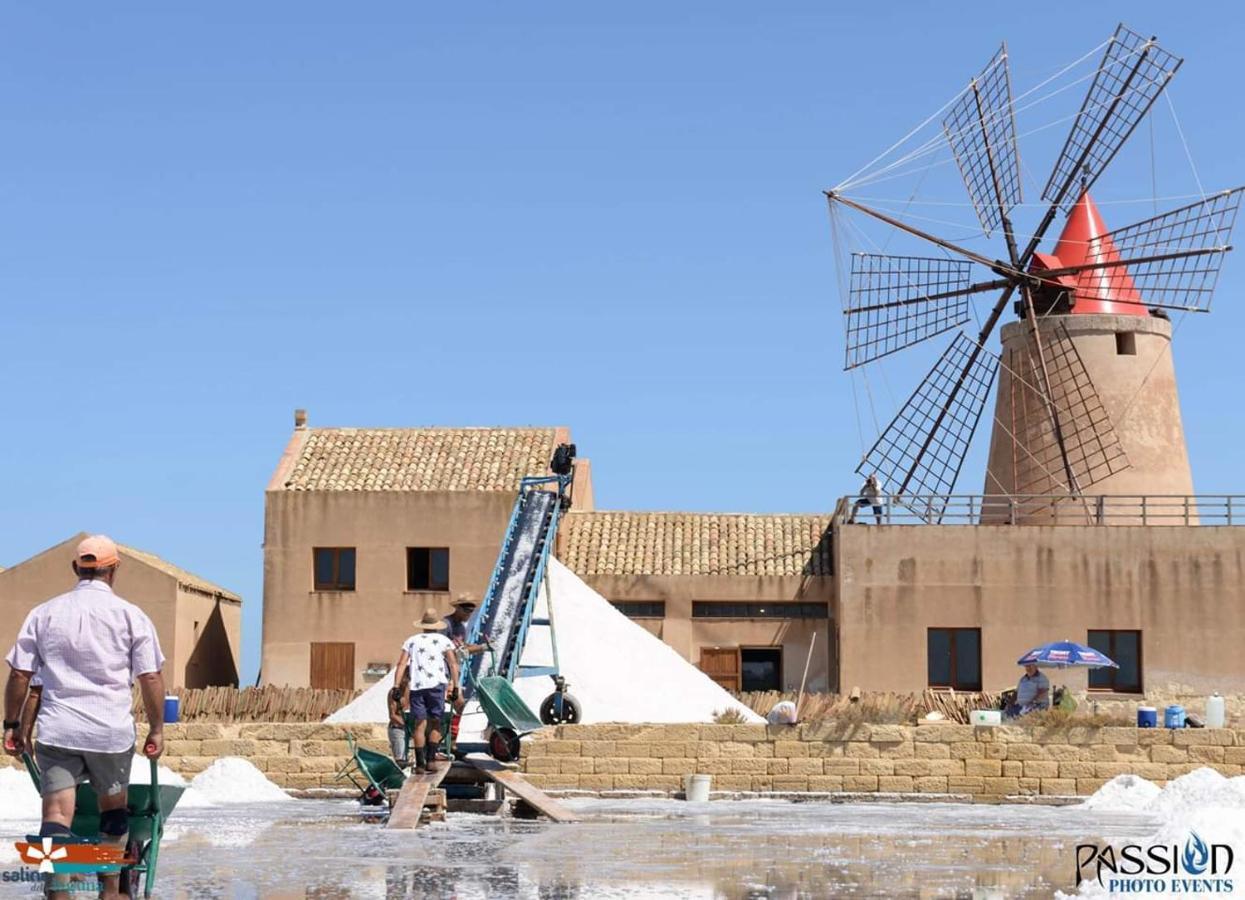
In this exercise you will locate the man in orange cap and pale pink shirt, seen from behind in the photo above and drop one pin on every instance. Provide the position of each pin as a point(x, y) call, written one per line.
point(88, 648)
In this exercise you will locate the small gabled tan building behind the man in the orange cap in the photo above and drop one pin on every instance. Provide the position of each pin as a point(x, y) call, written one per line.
point(199, 623)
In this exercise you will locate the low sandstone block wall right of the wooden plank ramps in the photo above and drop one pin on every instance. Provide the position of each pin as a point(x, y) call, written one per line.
point(983, 764)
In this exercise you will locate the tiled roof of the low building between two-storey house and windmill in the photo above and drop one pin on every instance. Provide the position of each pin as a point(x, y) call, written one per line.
point(608, 543)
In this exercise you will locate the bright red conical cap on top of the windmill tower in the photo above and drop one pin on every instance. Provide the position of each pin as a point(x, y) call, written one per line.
point(1086, 241)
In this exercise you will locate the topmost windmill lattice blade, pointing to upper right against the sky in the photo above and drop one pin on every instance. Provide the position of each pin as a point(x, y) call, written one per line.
point(1134, 73)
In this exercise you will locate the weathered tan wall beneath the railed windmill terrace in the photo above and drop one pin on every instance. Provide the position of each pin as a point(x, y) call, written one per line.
point(1185, 588)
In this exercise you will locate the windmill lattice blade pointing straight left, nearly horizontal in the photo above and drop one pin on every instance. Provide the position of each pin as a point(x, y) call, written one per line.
point(897, 302)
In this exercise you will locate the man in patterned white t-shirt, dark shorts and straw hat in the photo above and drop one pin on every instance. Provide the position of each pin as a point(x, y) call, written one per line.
point(434, 667)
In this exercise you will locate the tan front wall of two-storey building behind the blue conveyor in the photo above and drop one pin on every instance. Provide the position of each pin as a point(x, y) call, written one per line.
point(379, 614)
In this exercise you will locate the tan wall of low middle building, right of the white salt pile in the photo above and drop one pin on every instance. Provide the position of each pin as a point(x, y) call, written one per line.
point(690, 635)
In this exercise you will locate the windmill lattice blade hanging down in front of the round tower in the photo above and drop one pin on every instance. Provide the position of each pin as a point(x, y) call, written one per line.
point(1090, 440)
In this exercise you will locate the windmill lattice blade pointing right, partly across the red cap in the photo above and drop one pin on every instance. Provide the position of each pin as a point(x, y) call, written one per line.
point(1202, 230)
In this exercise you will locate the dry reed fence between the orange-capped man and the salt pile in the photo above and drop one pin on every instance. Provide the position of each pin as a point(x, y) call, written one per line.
point(255, 704)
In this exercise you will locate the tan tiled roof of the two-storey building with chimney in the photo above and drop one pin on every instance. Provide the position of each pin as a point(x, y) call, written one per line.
point(420, 459)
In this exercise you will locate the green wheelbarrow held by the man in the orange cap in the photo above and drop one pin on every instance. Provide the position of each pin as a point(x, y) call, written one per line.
point(149, 807)
